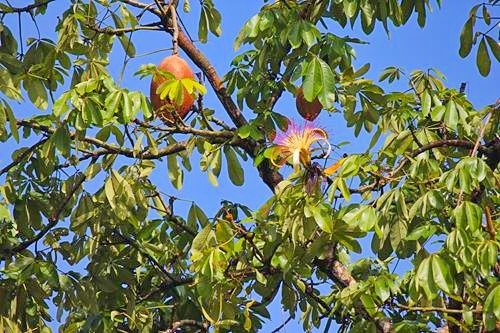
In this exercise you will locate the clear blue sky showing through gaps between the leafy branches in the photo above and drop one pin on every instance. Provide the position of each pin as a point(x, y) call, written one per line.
point(409, 47)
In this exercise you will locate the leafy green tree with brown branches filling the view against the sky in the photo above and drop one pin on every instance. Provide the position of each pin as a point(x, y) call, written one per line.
point(83, 226)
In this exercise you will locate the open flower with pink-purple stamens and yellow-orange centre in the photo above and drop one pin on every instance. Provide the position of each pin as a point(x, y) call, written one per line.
point(297, 144)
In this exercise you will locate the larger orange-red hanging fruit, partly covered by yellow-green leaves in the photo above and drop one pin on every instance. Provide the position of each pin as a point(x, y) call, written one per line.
point(164, 108)
